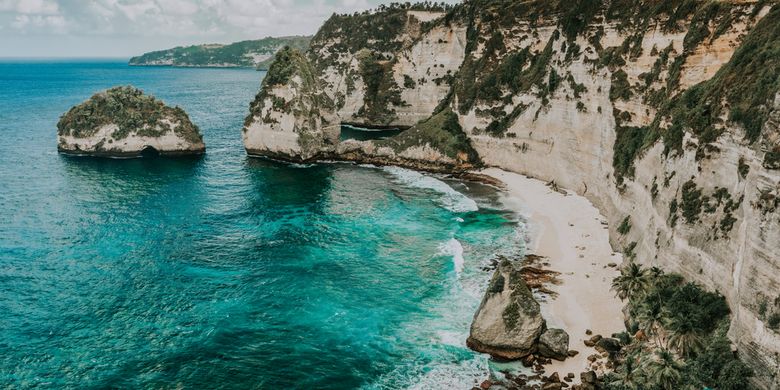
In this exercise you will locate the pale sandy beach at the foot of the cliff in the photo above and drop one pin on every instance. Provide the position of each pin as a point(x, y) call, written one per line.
point(568, 230)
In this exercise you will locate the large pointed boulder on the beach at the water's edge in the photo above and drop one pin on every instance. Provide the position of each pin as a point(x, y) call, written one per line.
point(508, 322)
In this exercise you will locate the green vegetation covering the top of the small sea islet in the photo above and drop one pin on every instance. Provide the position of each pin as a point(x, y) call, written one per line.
point(131, 111)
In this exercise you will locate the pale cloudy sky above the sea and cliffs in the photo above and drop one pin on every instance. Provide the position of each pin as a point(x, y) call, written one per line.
point(124, 28)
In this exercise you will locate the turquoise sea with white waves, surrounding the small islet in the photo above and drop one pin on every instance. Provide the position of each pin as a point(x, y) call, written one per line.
point(225, 271)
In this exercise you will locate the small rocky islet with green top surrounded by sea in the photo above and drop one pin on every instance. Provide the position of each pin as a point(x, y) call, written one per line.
point(123, 122)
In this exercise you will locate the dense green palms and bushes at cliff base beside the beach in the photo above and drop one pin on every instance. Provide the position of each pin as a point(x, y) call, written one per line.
point(680, 336)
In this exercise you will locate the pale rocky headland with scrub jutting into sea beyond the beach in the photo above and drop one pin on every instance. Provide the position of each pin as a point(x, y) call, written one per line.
point(349, 76)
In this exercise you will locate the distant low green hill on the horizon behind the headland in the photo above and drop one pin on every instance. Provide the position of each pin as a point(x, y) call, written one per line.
point(245, 54)
